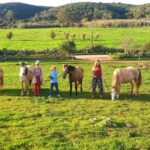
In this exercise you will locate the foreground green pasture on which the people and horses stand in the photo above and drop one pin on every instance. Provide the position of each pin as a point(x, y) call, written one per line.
point(76, 122)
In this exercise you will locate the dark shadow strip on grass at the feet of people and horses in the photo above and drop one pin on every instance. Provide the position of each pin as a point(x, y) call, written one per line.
point(84, 95)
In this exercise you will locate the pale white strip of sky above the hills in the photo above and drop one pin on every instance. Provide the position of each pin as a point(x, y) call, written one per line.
point(62, 2)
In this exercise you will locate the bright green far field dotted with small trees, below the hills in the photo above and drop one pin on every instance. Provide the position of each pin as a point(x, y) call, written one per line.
point(38, 39)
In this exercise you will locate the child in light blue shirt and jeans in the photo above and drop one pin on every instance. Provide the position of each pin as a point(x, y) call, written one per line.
point(54, 81)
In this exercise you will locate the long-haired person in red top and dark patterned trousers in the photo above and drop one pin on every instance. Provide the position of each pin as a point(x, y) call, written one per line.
point(97, 78)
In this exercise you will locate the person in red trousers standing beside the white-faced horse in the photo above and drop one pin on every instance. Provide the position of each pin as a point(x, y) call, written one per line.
point(38, 78)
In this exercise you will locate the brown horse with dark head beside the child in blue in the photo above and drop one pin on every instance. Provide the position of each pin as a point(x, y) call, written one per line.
point(75, 75)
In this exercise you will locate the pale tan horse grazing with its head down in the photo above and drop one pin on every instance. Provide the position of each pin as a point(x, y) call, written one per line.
point(125, 75)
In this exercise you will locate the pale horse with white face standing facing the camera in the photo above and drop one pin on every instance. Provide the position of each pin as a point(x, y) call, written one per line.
point(26, 76)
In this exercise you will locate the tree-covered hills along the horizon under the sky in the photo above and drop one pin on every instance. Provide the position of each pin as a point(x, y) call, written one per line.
point(15, 13)
